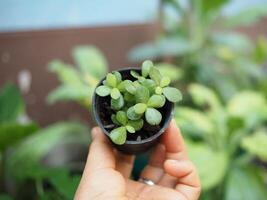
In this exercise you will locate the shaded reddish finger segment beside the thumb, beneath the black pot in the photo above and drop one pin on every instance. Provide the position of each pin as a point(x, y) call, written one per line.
point(124, 164)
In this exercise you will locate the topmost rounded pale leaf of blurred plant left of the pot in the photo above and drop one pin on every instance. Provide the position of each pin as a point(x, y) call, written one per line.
point(90, 60)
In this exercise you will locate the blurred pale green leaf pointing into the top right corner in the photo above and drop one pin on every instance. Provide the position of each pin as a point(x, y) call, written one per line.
point(247, 16)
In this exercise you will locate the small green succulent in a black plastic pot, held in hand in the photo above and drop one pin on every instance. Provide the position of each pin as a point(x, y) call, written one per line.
point(134, 106)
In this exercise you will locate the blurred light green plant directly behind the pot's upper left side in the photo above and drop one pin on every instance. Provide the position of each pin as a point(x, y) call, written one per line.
point(78, 83)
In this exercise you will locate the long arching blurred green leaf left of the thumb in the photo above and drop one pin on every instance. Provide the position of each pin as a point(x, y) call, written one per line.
point(30, 152)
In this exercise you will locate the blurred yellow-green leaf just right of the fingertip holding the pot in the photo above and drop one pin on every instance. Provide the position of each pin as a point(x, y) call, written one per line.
point(193, 122)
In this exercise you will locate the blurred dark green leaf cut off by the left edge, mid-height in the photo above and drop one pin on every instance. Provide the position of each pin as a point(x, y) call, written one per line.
point(11, 103)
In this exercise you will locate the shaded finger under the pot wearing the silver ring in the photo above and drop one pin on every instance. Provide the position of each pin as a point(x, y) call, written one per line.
point(154, 170)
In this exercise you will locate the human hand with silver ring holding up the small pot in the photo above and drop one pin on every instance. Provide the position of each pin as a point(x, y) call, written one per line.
point(107, 171)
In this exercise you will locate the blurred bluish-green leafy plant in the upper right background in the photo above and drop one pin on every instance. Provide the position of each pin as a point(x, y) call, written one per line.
point(199, 38)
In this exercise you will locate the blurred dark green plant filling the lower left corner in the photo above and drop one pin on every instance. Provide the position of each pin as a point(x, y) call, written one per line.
point(23, 148)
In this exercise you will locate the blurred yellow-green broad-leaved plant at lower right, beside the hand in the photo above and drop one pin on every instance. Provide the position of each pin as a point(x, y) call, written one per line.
point(227, 142)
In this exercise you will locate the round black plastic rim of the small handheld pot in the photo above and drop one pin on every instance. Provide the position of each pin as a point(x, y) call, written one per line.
point(99, 122)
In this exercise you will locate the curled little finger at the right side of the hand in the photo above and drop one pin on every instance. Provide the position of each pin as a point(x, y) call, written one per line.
point(185, 172)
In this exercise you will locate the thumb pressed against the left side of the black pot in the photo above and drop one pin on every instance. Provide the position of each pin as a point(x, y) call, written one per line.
point(100, 154)
